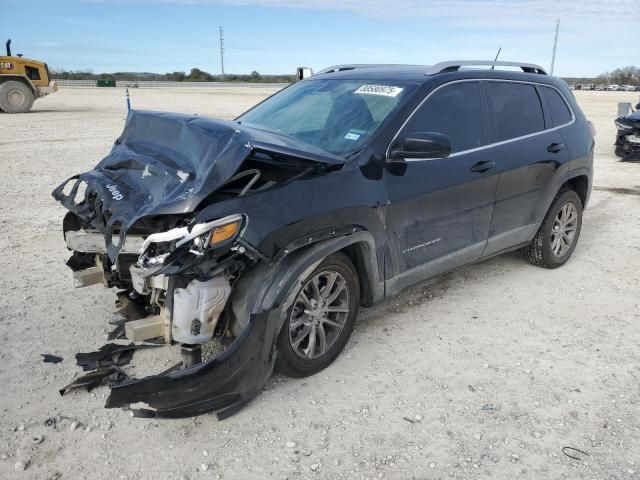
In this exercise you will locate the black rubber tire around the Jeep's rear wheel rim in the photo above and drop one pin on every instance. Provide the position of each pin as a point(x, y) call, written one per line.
point(540, 251)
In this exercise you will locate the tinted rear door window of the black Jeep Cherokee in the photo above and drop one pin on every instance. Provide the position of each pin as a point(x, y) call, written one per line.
point(516, 109)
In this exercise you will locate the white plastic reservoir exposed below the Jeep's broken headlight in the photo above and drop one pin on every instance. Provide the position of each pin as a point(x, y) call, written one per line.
point(196, 309)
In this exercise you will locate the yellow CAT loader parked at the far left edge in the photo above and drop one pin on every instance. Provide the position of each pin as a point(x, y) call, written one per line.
point(22, 81)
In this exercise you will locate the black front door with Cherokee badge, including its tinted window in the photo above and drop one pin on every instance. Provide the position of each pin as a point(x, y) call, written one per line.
point(439, 210)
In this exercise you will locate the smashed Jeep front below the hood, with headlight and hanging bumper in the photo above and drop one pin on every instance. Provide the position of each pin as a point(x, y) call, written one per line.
point(174, 287)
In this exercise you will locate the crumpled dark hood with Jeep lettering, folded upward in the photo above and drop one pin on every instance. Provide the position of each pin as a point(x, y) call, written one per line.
point(167, 163)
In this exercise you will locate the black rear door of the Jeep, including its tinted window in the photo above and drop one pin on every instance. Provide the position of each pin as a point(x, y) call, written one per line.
point(530, 151)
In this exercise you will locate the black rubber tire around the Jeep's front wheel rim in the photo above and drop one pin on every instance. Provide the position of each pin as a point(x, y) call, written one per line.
point(293, 364)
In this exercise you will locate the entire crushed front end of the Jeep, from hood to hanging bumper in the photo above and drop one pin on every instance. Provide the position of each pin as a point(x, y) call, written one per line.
point(136, 224)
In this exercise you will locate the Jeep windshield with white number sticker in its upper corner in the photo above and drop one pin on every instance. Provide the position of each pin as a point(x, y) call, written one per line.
point(339, 116)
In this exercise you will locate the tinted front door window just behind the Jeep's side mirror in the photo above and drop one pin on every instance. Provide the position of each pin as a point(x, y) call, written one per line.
point(455, 111)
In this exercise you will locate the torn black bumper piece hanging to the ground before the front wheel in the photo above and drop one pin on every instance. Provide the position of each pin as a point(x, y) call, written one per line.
point(222, 385)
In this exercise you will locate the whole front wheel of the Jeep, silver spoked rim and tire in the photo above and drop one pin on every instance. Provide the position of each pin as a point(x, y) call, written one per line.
point(321, 318)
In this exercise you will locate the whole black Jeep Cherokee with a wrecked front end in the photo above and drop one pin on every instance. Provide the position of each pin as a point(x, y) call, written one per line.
point(338, 191)
